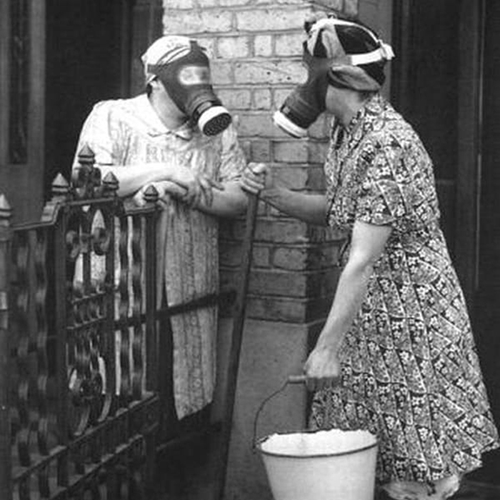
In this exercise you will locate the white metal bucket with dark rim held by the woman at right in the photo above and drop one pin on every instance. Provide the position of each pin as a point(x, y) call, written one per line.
point(320, 465)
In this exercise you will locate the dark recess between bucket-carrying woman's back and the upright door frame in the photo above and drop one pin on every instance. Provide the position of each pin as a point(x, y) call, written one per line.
point(425, 89)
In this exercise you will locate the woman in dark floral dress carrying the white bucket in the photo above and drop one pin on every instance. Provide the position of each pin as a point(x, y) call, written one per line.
point(396, 355)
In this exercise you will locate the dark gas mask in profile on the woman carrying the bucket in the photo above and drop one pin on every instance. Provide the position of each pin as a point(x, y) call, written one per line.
point(303, 106)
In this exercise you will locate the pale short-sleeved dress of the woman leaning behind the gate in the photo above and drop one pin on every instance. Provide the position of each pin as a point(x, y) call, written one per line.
point(127, 132)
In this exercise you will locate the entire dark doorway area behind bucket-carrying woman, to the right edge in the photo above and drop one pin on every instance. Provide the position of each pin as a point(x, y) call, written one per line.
point(446, 81)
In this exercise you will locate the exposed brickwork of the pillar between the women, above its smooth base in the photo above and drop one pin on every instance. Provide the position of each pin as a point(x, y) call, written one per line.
point(255, 48)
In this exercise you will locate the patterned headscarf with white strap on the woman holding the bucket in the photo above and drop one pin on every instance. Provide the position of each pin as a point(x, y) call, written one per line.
point(357, 54)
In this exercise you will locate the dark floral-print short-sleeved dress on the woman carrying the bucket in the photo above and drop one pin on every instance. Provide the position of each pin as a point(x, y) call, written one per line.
point(410, 371)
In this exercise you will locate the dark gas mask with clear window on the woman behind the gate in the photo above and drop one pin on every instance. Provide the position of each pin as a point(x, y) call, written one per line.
point(187, 81)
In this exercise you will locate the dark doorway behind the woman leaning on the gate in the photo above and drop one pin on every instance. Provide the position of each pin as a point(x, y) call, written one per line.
point(87, 60)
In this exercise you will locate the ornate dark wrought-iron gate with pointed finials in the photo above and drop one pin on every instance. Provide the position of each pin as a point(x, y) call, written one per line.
point(78, 401)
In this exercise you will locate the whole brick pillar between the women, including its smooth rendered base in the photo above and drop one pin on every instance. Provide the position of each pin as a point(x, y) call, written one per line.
point(255, 47)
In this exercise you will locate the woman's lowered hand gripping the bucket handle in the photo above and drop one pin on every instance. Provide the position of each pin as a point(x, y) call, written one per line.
point(322, 369)
